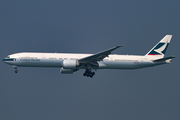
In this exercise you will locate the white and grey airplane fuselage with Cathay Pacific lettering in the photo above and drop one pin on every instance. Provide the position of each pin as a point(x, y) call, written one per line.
point(56, 60)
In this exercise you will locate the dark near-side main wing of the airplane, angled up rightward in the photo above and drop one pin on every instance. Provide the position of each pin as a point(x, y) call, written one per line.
point(98, 56)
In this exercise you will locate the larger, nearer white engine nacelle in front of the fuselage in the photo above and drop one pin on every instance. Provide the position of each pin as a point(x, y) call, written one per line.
point(70, 64)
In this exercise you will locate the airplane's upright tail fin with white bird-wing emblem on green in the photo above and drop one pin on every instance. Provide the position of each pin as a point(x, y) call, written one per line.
point(160, 48)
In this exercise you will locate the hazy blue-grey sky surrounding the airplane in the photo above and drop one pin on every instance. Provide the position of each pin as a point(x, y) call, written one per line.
point(79, 26)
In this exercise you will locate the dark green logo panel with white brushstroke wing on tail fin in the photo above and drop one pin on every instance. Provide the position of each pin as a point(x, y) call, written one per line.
point(160, 49)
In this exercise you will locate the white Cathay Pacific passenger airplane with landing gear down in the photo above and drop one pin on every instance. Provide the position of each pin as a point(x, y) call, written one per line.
point(70, 63)
